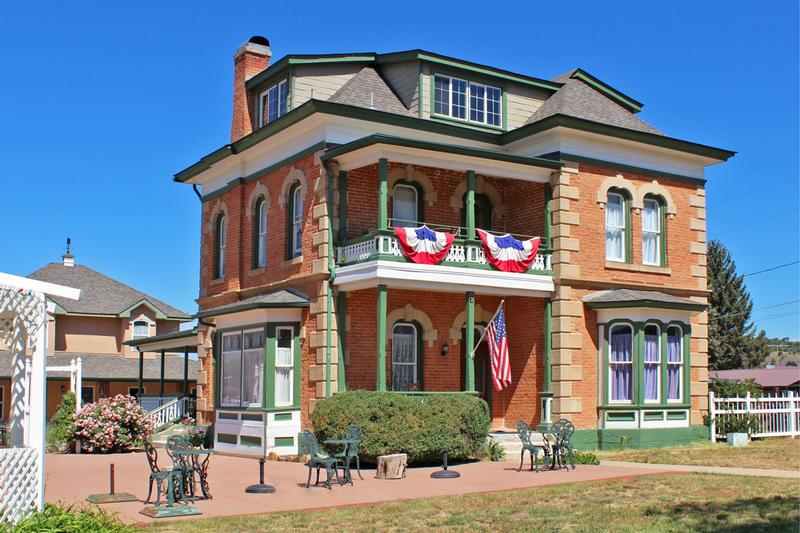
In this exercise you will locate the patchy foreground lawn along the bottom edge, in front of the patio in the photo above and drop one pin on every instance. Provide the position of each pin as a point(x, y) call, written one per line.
point(685, 502)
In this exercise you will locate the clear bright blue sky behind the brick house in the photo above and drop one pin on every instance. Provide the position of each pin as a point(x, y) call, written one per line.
point(104, 101)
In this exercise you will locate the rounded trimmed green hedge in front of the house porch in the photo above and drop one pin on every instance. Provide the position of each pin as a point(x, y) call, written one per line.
point(420, 425)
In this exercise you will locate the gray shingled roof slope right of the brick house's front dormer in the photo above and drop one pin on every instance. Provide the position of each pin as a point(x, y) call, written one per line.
point(577, 99)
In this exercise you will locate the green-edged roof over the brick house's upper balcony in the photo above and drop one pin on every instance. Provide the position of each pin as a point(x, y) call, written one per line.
point(368, 150)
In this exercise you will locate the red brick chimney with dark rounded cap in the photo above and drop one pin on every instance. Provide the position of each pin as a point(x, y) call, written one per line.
point(250, 59)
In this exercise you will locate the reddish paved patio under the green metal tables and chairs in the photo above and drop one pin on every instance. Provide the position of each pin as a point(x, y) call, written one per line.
point(71, 478)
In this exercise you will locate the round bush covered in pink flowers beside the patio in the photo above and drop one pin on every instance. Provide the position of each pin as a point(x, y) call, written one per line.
point(112, 424)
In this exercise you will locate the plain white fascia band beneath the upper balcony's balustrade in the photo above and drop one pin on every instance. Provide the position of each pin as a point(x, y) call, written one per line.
point(442, 279)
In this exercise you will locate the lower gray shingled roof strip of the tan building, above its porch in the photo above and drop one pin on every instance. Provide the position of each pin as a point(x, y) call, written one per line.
point(113, 366)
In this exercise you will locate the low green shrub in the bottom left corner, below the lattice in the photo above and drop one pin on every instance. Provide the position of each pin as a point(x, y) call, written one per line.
point(69, 519)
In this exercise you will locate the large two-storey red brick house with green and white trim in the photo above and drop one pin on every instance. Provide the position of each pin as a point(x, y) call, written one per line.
point(304, 291)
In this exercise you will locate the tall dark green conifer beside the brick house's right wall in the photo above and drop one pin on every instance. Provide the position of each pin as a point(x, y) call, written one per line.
point(732, 342)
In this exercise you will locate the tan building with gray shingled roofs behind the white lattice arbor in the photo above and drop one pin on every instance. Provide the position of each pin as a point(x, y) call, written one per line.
point(94, 329)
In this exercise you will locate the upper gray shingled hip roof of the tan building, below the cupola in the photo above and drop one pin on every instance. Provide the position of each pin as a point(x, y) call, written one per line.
point(100, 295)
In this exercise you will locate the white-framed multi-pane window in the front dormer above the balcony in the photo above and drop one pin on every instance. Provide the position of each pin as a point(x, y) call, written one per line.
point(467, 100)
